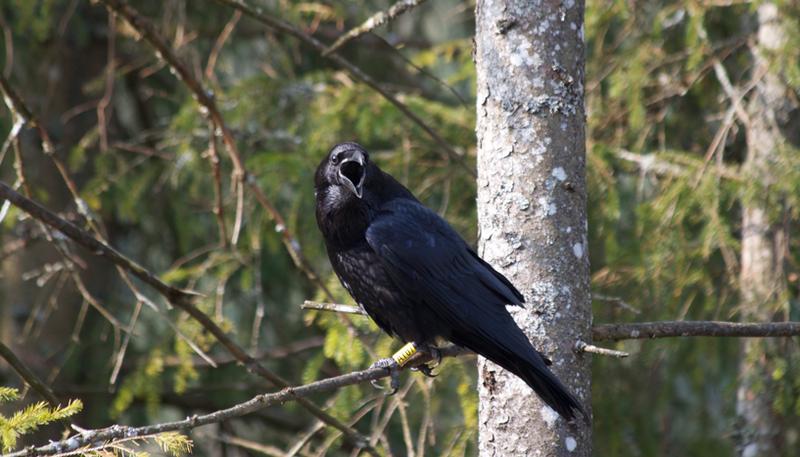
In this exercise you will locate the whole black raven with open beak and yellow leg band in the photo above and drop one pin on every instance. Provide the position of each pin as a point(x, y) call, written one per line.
point(416, 277)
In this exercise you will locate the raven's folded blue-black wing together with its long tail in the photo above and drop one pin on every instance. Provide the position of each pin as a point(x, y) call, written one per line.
point(435, 268)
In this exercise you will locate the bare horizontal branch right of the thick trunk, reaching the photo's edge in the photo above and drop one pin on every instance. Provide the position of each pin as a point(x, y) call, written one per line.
point(668, 329)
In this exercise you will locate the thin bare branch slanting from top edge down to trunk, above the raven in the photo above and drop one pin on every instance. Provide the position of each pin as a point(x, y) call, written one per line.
point(259, 15)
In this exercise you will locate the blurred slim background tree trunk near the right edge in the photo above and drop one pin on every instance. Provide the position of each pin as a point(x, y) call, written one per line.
point(762, 282)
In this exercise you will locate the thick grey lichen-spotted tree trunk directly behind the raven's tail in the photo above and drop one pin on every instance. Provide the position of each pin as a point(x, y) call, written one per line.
point(532, 211)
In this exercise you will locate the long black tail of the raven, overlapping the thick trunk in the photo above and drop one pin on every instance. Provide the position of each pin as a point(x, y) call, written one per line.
point(525, 362)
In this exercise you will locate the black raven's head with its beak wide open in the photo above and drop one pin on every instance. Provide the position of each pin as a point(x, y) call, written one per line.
point(345, 167)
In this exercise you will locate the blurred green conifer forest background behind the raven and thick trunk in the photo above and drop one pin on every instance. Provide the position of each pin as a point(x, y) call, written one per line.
point(671, 99)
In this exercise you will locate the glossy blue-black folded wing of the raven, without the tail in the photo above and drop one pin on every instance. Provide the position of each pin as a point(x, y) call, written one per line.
point(429, 259)
